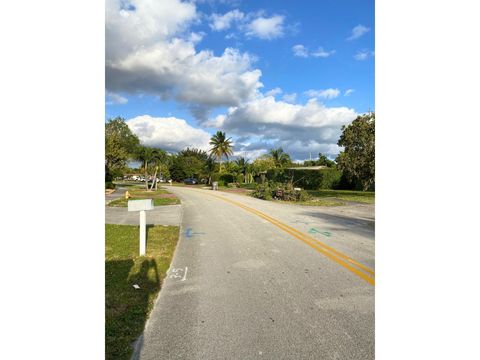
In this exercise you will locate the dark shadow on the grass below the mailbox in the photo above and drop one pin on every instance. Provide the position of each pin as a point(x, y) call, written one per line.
point(127, 308)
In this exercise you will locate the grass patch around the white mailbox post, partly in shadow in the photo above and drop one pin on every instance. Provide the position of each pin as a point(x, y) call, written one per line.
point(127, 308)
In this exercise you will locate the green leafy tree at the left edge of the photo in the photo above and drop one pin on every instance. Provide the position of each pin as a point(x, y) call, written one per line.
point(120, 144)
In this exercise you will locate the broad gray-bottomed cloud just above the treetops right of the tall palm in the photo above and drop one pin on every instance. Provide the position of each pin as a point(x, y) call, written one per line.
point(298, 128)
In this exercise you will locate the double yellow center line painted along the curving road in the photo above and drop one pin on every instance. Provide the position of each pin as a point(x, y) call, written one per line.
point(312, 242)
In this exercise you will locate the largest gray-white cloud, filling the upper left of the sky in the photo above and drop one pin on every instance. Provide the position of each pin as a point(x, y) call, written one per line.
point(149, 51)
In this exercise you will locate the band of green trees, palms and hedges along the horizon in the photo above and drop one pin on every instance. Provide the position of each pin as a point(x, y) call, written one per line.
point(353, 168)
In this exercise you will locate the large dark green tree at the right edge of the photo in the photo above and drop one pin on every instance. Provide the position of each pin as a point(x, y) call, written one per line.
point(357, 159)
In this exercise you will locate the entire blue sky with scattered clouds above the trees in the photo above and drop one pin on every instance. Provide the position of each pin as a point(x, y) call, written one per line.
point(268, 73)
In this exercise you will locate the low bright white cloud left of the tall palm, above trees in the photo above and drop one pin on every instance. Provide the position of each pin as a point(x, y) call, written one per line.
point(170, 134)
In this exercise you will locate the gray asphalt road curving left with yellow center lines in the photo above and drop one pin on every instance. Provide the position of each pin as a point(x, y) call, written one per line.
point(252, 279)
